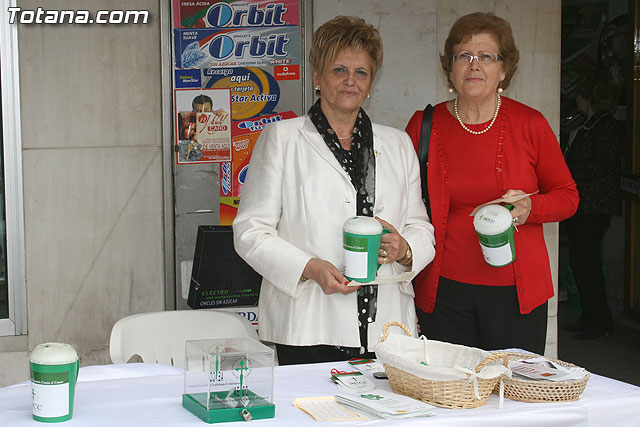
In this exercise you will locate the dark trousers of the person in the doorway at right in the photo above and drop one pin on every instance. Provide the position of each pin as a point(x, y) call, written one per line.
point(585, 239)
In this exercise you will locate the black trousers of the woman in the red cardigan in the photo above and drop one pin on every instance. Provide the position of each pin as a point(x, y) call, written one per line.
point(486, 317)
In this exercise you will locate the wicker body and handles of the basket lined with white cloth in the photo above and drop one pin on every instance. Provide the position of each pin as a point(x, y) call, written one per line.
point(457, 394)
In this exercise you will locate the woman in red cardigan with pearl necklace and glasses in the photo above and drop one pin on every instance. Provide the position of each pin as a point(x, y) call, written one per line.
point(485, 146)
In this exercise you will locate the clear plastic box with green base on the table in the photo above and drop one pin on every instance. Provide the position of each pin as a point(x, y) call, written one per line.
point(228, 379)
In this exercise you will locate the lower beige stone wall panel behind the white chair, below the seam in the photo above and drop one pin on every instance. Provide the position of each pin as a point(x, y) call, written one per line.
point(93, 241)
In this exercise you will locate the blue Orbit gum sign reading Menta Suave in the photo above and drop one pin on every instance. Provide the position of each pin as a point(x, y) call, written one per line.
point(262, 46)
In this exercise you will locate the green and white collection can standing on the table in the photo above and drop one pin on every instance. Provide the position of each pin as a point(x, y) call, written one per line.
point(54, 373)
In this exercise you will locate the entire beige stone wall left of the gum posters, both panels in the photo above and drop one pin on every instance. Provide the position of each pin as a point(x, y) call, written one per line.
point(93, 176)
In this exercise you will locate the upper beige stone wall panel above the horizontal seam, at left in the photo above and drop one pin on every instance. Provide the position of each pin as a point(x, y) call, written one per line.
point(90, 85)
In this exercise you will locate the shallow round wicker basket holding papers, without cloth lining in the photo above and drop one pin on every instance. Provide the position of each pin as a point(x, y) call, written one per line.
point(525, 390)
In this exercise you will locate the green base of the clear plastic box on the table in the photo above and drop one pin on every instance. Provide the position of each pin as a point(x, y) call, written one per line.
point(218, 412)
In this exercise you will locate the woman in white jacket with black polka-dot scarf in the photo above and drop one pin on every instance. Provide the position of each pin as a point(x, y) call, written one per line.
point(307, 176)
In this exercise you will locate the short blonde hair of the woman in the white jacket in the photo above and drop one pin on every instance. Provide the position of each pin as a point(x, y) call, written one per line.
point(345, 32)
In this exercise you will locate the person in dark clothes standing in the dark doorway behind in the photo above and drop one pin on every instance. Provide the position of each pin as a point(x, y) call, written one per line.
point(594, 158)
